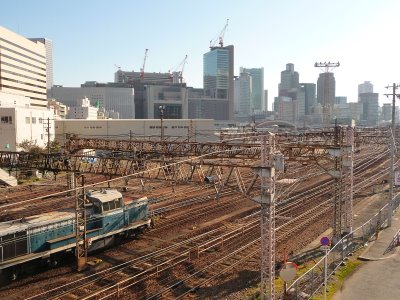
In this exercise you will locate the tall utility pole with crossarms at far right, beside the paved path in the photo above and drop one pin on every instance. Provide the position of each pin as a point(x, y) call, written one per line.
point(394, 87)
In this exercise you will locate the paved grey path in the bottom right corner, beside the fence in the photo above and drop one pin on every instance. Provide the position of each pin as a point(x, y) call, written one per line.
point(379, 277)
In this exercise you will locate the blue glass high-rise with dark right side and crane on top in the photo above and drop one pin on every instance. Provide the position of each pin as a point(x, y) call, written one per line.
point(218, 74)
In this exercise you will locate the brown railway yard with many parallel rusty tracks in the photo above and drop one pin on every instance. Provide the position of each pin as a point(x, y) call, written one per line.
point(205, 241)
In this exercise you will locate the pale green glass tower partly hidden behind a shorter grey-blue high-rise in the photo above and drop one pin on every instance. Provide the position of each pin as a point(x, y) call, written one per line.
point(257, 87)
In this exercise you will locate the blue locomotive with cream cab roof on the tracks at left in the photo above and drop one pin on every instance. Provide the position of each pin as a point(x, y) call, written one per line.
point(45, 237)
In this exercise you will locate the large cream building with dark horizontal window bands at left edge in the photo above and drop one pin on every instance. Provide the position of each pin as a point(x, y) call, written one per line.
point(23, 67)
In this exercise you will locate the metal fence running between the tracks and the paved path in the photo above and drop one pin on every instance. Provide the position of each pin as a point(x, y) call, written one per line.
point(313, 280)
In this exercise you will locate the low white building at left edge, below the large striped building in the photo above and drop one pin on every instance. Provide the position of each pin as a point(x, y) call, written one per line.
point(21, 121)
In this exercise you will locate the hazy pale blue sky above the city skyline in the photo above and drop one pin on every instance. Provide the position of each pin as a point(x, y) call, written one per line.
point(90, 37)
